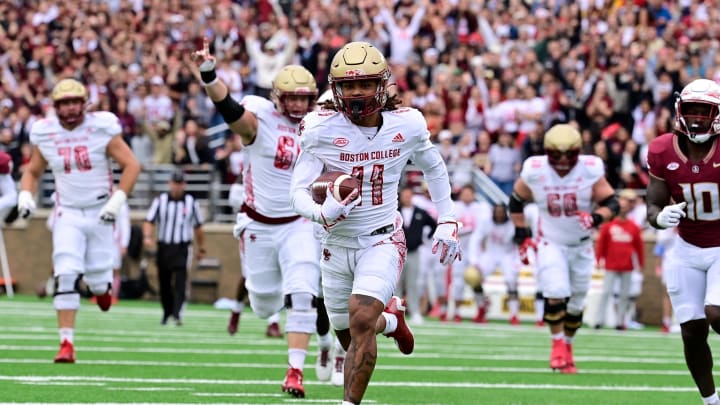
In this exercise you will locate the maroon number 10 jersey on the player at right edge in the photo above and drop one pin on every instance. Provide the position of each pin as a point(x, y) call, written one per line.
point(696, 183)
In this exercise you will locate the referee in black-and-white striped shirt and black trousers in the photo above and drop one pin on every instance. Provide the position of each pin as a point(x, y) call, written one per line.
point(178, 219)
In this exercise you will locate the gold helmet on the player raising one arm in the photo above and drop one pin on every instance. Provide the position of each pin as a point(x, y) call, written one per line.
point(297, 81)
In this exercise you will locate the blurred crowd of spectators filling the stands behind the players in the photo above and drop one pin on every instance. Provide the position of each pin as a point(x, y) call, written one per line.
point(490, 76)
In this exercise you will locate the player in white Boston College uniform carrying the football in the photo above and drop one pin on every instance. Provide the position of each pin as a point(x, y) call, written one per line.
point(365, 134)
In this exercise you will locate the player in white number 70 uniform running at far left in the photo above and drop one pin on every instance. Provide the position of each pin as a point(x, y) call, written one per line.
point(77, 146)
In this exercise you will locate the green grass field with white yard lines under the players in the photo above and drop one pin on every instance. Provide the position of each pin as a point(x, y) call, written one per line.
point(125, 356)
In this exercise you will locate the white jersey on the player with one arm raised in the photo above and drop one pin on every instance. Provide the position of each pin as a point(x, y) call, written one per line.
point(269, 160)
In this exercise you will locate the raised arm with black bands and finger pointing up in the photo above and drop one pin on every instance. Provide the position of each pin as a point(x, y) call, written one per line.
point(240, 121)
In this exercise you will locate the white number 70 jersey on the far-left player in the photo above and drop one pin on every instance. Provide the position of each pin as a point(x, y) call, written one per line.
point(78, 159)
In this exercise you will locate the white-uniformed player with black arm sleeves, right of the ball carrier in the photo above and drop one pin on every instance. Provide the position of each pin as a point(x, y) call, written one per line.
point(566, 186)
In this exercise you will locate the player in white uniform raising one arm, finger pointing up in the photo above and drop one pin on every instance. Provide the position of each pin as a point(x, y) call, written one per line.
point(280, 255)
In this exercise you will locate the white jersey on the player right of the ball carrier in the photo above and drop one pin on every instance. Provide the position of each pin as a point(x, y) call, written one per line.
point(560, 199)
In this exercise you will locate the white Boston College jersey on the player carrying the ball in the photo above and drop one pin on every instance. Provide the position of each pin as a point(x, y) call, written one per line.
point(377, 161)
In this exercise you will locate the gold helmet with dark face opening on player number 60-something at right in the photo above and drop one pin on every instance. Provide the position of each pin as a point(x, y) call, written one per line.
point(562, 146)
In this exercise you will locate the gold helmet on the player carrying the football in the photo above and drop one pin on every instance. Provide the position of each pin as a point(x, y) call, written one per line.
point(359, 61)
